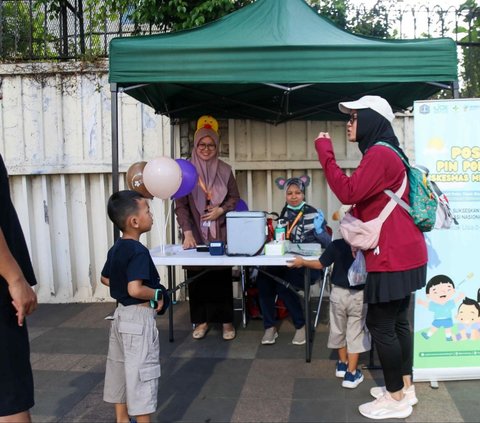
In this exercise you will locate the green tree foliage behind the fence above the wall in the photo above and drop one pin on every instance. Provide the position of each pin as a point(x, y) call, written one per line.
point(25, 34)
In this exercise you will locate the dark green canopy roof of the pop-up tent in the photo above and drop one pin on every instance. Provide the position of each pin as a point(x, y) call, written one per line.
point(275, 60)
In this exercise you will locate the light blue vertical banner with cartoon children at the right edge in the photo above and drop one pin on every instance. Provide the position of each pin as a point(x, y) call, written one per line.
point(447, 310)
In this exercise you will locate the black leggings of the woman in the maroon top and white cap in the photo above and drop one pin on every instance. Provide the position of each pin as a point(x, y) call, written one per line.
point(390, 329)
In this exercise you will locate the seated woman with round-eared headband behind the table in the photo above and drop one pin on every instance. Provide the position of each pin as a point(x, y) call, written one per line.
point(305, 224)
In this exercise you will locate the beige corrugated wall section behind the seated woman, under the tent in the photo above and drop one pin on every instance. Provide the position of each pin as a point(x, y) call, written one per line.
point(288, 150)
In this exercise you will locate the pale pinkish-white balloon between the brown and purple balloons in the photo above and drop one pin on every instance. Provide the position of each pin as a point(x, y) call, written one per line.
point(162, 177)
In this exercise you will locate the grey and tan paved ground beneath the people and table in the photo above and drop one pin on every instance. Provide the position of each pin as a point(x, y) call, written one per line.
point(212, 380)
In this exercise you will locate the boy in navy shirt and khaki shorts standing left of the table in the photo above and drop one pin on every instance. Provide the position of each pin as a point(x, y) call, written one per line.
point(133, 362)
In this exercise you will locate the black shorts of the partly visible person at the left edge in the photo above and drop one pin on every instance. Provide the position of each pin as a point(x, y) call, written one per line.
point(16, 379)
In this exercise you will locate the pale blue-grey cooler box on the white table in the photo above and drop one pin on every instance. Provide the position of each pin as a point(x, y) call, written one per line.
point(246, 233)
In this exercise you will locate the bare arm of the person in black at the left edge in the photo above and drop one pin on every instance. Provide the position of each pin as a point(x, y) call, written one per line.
point(23, 296)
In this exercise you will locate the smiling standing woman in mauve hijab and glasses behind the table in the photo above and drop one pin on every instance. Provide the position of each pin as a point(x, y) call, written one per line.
point(201, 216)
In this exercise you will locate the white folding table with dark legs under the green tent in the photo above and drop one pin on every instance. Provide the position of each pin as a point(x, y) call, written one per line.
point(174, 255)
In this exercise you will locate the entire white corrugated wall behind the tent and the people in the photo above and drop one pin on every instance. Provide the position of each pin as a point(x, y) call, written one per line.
point(55, 133)
